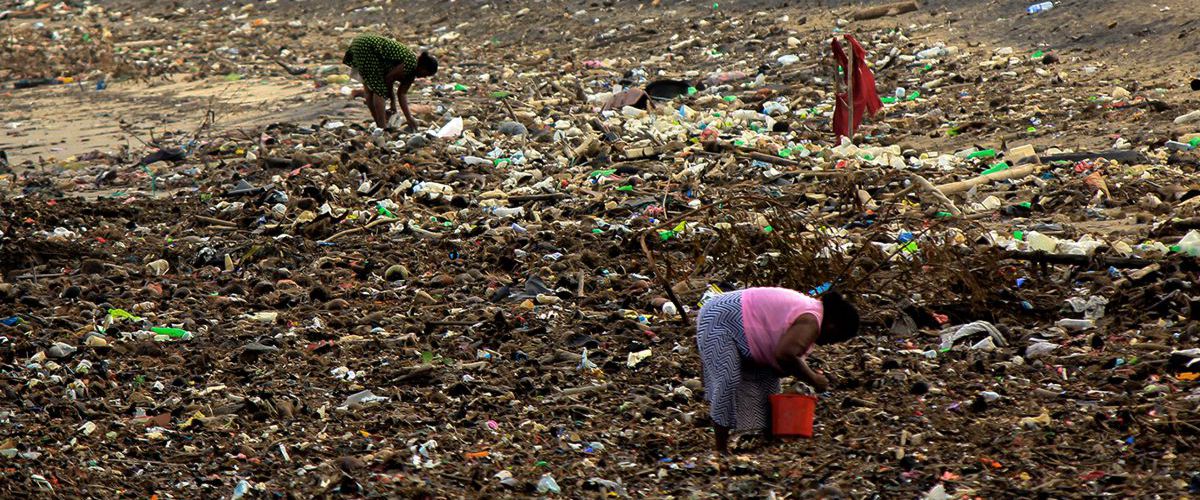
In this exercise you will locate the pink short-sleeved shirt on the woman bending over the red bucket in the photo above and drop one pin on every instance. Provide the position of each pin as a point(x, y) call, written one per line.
point(766, 316)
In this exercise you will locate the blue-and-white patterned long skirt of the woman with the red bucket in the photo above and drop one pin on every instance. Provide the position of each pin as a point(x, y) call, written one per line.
point(736, 388)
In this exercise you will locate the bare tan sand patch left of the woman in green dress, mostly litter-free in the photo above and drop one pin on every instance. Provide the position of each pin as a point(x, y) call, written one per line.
point(62, 122)
